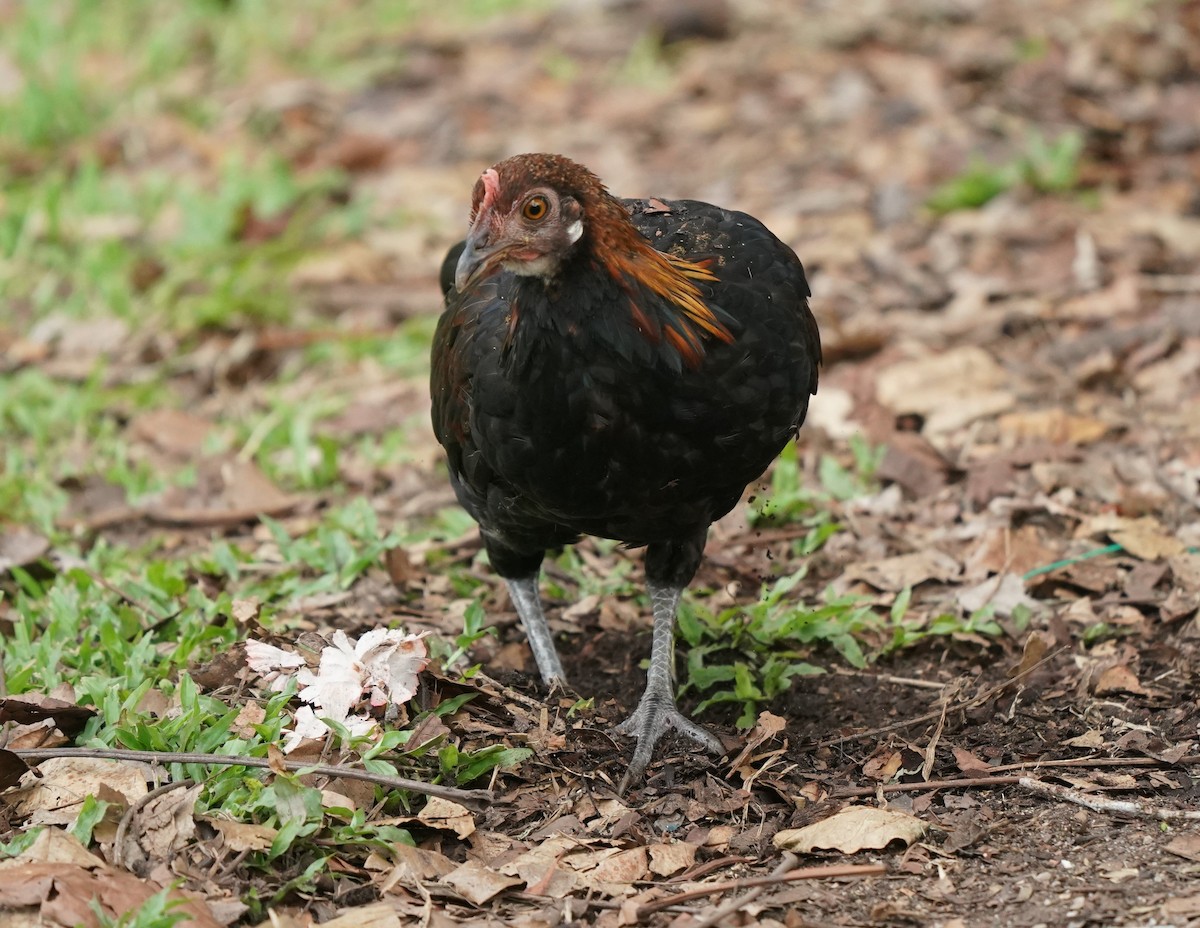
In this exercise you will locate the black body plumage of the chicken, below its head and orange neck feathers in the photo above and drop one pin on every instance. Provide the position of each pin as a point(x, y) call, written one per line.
point(566, 412)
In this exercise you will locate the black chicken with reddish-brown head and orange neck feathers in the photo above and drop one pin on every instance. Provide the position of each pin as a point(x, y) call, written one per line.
point(616, 368)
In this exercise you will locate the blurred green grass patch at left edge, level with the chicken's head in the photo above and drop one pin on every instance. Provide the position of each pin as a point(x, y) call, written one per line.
point(170, 252)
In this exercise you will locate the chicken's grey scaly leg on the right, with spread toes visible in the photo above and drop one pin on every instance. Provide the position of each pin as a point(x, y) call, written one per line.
point(657, 713)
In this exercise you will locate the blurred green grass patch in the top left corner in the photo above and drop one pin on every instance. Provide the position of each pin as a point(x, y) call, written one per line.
point(88, 64)
